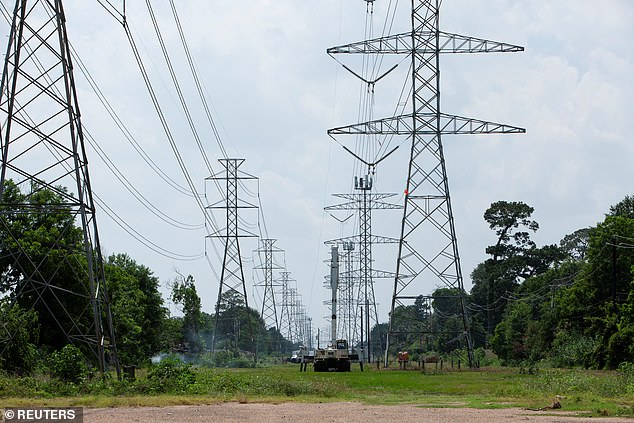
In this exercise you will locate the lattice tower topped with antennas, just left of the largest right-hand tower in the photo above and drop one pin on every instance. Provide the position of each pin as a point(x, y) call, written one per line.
point(366, 316)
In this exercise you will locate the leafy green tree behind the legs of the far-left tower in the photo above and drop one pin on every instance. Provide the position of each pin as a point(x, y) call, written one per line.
point(42, 258)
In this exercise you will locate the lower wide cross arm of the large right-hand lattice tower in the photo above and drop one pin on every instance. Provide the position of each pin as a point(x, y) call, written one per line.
point(426, 124)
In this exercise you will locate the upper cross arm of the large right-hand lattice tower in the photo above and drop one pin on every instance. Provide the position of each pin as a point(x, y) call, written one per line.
point(422, 41)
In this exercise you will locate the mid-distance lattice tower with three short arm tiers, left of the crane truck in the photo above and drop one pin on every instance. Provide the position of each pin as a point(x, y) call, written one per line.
point(232, 291)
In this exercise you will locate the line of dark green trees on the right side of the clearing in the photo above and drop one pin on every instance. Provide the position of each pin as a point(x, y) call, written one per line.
point(571, 304)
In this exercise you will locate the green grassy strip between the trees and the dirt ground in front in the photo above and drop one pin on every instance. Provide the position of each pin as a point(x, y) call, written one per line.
point(596, 392)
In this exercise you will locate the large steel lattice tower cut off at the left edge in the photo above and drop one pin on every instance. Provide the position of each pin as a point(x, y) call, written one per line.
point(60, 275)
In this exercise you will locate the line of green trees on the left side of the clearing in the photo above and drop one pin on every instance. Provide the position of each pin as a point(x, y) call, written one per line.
point(31, 333)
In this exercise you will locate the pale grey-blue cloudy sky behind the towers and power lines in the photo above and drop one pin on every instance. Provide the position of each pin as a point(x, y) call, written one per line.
point(274, 92)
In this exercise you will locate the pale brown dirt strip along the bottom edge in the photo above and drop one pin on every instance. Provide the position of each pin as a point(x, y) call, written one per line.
point(326, 413)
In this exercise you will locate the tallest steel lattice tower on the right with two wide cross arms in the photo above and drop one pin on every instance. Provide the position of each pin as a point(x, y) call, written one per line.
point(428, 250)
